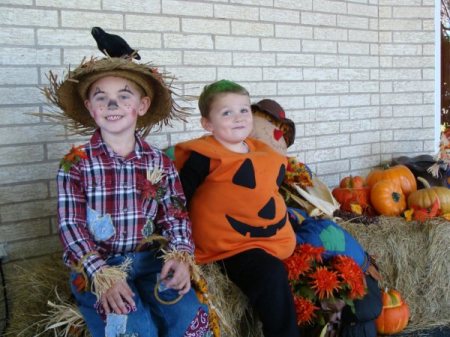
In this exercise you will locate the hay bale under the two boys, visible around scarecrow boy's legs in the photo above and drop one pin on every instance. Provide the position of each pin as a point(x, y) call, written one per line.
point(43, 305)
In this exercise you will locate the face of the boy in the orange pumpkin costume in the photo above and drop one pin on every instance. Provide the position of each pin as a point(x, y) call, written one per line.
point(230, 119)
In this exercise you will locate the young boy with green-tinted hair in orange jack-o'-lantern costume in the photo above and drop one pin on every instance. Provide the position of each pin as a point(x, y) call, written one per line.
point(238, 217)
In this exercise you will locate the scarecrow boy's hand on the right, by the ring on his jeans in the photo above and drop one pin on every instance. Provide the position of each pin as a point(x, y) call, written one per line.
point(180, 278)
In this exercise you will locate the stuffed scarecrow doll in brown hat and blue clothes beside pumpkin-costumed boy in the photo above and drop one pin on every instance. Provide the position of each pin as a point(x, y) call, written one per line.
point(272, 127)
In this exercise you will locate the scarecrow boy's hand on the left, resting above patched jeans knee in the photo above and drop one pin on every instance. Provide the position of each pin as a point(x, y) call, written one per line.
point(116, 298)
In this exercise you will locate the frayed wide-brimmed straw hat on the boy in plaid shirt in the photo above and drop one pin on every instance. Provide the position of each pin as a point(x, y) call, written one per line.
point(69, 95)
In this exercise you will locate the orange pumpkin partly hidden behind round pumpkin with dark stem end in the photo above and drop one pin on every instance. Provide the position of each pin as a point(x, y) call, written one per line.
point(399, 173)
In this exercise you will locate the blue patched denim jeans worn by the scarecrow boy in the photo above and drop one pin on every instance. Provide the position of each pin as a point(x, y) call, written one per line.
point(152, 318)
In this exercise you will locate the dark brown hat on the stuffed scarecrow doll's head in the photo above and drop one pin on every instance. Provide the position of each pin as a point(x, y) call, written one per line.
point(273, 110)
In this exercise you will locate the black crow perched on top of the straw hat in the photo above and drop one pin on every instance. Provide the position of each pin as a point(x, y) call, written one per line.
point(113, 45)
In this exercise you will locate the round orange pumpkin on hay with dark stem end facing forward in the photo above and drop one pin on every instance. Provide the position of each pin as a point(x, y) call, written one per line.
point(387, 198)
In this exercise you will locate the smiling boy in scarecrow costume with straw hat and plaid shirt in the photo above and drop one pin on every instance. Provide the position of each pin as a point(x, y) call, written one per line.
point(121, 214)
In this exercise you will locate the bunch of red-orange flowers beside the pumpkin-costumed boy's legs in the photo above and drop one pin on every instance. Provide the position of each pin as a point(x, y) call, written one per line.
point(321, 288)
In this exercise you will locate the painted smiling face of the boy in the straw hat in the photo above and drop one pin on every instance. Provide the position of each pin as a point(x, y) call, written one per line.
point(115, 104)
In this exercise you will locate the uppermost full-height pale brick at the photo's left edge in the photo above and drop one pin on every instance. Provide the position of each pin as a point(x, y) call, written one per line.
point(28, 17)
